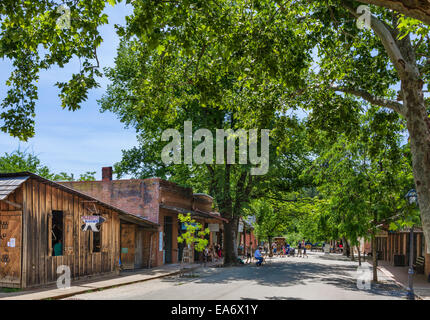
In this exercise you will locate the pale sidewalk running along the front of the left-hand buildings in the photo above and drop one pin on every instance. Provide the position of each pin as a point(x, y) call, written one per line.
point(101, 282)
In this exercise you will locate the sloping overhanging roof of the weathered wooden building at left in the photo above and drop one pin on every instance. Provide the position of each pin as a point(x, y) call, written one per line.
point(23, 176)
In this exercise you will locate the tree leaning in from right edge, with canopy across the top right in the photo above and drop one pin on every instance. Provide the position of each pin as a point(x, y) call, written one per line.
point(313, 51)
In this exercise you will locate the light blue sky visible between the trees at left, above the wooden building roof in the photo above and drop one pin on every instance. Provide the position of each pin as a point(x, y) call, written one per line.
point(80, 141)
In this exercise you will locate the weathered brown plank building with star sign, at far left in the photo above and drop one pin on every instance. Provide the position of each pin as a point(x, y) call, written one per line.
point(42, 228)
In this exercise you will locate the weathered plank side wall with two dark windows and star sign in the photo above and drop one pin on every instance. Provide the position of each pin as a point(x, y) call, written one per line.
point(39, 266)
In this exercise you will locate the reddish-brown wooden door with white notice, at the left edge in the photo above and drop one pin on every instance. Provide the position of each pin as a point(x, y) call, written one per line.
point(10, 248)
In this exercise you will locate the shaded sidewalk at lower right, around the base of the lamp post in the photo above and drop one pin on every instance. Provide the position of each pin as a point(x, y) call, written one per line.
point(400, 275)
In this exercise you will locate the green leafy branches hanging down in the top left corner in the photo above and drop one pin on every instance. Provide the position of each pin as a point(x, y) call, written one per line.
point(30, 37)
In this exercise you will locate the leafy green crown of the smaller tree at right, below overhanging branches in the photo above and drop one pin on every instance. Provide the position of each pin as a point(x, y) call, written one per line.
point(364, 180)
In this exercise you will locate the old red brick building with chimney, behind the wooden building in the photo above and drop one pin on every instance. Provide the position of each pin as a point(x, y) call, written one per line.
point(158, 201)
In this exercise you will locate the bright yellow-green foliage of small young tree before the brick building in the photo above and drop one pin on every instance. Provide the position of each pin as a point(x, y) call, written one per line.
point(194, 235)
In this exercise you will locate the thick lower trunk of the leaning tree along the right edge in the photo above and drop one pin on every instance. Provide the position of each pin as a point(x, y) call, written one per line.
point(418, 127)
